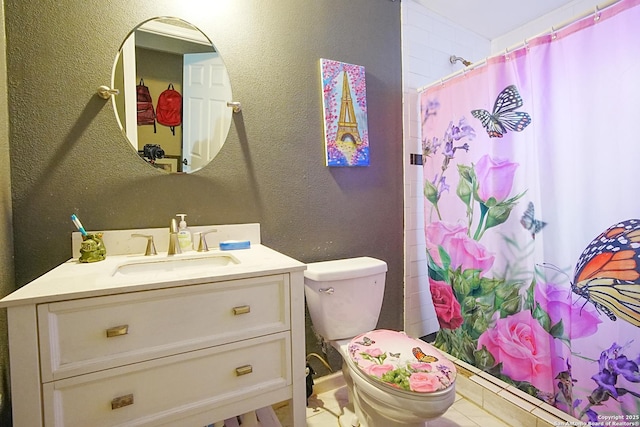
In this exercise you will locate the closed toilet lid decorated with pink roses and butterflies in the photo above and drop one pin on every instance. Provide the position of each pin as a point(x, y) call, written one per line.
point(400, 361)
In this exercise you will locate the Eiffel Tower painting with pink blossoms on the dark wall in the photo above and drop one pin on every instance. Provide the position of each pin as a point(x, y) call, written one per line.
point(345, 114)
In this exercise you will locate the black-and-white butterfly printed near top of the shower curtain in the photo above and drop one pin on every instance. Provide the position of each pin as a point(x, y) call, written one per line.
point(504, 115)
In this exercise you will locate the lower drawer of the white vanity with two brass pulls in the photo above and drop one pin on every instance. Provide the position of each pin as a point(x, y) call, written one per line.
point(174, 387)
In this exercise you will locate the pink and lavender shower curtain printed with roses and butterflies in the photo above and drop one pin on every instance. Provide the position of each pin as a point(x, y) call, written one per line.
point(532, 215)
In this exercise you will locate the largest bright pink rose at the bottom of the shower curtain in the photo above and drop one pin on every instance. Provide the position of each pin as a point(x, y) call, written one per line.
point(523, 348)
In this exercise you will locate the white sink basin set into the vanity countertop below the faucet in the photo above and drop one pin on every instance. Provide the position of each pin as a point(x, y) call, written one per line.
point(169, 265)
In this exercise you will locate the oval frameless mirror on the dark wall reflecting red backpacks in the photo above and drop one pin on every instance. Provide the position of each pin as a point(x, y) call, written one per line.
point(169, 54)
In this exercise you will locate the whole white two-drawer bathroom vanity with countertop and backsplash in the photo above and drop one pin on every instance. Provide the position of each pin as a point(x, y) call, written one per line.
point(187, 340)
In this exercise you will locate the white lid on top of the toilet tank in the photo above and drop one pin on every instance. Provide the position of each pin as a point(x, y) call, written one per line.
point(343, 269)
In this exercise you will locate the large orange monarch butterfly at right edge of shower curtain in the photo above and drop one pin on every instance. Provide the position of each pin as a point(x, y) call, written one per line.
point(608, 272)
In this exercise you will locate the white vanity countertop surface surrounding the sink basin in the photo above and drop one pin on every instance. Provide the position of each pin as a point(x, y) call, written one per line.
point(73, 280)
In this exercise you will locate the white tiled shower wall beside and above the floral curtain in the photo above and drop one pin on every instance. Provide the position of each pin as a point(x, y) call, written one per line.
point(428, 40)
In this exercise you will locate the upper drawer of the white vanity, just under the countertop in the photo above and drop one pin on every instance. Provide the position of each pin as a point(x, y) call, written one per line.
point(91, 334)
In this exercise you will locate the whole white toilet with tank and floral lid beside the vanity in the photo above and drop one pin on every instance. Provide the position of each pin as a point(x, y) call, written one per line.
point(392, 379)
